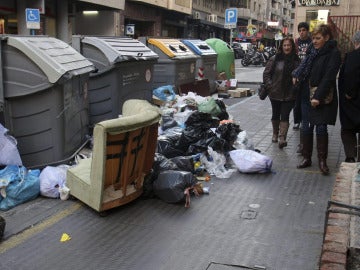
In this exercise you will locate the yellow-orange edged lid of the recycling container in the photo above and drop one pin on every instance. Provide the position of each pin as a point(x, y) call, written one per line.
point(173, 48)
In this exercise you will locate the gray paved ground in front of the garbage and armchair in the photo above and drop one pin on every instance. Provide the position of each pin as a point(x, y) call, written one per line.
point(274, 221)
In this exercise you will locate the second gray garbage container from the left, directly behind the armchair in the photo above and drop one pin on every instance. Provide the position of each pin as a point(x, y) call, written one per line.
point(124, 70)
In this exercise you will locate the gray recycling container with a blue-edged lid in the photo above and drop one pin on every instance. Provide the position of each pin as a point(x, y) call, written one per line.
point(206, 63)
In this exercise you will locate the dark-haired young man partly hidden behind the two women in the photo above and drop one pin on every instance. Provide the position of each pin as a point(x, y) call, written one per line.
point(302, 43)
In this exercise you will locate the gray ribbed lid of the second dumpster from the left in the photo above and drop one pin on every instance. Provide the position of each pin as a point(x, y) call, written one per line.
point(118, 49)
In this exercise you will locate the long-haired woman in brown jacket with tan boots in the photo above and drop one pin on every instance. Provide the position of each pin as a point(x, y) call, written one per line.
point(277, 79)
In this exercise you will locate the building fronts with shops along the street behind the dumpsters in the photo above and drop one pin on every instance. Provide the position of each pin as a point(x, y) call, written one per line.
point(257, 19)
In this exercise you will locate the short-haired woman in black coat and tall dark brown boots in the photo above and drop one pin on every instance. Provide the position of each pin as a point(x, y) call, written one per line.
point(319, 69)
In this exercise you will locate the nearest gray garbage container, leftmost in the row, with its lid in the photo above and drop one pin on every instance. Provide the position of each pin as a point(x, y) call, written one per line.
point(44, 86)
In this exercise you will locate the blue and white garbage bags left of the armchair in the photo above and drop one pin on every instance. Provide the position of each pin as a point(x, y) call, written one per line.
point(19, 184)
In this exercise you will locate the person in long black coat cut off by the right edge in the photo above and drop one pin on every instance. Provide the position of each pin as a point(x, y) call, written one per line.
point(349, 100)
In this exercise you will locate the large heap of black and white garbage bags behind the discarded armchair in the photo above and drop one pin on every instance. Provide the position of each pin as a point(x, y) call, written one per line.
point(197, 138)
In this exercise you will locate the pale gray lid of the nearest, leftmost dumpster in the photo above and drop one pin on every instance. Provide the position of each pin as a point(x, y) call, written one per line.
point(53, 56)
